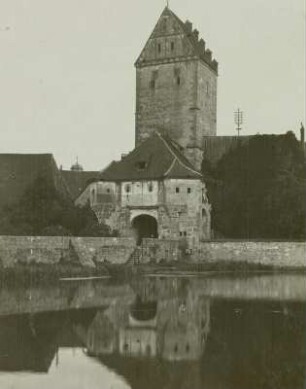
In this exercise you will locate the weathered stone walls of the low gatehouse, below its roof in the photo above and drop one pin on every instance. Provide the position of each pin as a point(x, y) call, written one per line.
point(180, 207)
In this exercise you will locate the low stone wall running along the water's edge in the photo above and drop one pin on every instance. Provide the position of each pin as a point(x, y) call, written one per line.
point(89, 251)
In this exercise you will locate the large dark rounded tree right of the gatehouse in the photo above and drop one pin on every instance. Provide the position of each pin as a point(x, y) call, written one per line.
point(261, 189)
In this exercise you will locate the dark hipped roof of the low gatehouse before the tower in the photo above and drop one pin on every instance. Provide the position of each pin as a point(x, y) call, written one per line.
point(156, 158)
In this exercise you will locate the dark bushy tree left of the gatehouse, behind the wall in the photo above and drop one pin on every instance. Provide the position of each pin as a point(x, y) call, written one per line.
point(44, 211)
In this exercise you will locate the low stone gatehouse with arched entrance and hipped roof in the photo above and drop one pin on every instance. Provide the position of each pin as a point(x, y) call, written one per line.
point(153, 192)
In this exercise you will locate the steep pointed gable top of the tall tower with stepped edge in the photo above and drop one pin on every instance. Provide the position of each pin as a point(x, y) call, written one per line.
point(169, 25)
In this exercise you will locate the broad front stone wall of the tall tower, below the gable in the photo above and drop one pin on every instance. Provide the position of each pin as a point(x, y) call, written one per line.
point(167, 105)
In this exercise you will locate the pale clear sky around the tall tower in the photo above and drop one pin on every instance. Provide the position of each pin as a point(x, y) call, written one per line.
point(67, 77)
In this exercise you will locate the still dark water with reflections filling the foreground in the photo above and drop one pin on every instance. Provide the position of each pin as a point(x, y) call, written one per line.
point(155, 333)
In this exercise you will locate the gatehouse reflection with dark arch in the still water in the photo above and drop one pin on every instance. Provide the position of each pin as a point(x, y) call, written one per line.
point(168, 320)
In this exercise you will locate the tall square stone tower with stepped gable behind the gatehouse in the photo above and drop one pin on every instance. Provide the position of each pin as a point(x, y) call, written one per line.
point(176, 86)
